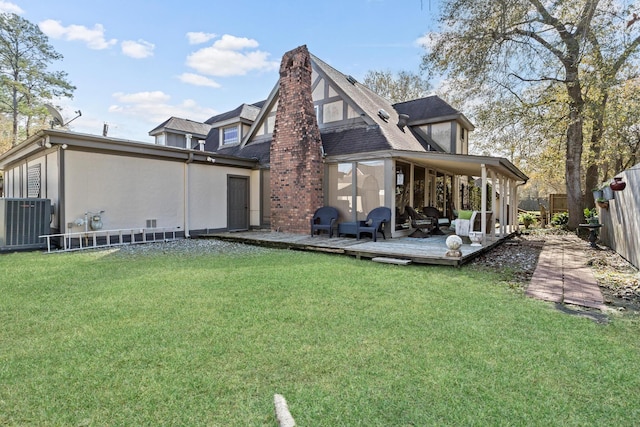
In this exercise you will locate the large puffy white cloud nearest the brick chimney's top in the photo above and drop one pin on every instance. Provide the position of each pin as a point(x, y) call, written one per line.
point(227, 58)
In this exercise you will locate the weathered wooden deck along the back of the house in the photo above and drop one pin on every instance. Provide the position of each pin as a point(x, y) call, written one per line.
point(430, 250)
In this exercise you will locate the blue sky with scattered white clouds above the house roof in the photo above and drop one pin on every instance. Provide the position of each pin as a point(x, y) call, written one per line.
point(137, 63)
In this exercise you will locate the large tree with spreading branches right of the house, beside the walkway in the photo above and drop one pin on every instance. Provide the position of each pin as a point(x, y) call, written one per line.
point(578, 50)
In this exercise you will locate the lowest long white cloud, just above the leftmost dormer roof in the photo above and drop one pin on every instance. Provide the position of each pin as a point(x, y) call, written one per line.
point(155, 107)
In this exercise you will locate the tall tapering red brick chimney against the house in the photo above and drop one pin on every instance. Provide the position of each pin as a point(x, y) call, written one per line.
point(296, 148)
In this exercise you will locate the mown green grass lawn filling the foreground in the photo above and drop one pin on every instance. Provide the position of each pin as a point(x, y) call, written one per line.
point(97, 338)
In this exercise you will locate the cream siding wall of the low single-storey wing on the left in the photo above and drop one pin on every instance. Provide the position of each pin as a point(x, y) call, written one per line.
point(131, 182)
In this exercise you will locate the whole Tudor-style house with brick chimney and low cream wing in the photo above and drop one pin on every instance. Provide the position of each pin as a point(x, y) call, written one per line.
point(320, 138)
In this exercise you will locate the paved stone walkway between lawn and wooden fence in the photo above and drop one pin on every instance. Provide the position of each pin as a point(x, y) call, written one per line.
point(562, 274)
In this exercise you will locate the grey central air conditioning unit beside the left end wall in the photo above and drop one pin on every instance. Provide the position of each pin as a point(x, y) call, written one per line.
point(22, 222)
